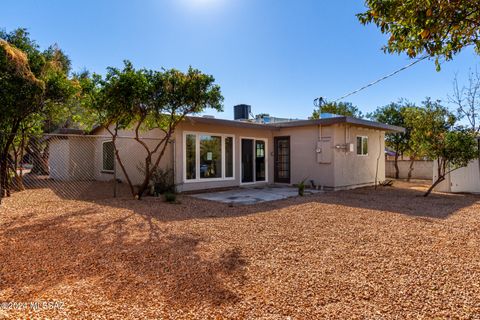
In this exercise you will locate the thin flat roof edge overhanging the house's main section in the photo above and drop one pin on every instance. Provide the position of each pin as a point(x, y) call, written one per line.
point(297, 123)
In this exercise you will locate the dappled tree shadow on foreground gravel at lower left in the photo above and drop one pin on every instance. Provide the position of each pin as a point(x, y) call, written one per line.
point(74, 247)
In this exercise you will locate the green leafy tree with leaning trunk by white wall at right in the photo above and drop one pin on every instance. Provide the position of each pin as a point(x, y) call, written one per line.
point(452, 147)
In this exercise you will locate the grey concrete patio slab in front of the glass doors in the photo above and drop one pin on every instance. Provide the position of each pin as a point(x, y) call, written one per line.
point(245, 196)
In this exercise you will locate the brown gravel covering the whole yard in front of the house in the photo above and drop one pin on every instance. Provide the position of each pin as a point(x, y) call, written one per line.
point(366, 253)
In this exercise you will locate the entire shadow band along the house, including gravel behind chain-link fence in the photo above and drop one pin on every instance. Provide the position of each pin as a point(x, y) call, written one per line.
point(403, 198)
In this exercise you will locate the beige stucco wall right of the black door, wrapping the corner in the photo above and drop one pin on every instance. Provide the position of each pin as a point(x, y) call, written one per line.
point(346, 169)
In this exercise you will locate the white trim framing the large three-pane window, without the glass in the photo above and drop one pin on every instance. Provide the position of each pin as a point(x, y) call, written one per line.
point(197, 135)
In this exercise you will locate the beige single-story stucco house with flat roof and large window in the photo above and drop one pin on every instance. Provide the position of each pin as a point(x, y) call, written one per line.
point(333, 153)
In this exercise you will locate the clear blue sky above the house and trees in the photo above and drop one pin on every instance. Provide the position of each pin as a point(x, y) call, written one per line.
point(275, 55)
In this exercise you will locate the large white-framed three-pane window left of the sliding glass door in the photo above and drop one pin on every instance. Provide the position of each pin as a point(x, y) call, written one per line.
point(208, 156)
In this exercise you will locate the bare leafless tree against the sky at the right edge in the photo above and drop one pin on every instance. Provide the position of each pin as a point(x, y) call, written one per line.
point(467, 100)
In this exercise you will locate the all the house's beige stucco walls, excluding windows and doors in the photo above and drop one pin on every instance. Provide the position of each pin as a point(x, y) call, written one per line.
point(345, 170)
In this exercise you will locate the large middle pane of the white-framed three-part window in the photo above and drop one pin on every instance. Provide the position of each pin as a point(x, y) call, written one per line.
point(210, 157)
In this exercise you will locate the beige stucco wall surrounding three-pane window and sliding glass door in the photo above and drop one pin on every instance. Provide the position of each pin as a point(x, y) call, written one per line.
point(238, 133)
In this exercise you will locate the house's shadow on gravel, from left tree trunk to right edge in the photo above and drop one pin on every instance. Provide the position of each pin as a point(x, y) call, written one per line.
point(405, 199)
